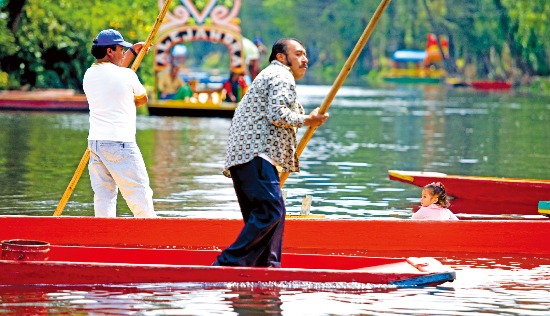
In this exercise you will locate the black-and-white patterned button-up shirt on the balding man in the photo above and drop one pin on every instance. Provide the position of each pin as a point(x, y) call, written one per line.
point(265, 121)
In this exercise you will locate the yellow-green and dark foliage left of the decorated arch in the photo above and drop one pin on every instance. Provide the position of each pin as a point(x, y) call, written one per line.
point(54, 38)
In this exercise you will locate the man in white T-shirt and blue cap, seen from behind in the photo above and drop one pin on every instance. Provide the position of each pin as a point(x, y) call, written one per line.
point(114, 92)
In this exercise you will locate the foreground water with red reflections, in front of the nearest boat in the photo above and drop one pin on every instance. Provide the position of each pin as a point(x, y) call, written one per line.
point(517, 287)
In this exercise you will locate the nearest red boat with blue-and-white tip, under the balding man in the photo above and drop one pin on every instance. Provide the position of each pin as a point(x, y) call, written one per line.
point(108, 265)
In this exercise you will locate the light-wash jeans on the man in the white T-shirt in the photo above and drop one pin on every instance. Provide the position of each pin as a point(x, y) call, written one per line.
point(119, 165)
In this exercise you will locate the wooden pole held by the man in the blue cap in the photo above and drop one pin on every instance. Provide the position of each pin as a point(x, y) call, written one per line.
point(137, 61)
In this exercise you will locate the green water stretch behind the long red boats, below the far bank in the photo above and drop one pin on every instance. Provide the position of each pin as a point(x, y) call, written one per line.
point(344, 166)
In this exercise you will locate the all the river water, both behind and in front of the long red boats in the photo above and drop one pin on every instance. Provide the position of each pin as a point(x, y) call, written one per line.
point(344, 168)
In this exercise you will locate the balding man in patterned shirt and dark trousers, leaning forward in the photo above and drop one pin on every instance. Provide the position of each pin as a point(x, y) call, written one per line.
point(262, 139)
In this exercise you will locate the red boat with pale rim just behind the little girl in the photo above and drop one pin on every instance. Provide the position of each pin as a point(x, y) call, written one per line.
point(483, 195)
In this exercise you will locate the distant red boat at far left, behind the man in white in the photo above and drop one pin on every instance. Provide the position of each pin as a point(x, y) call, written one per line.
point(43, 100)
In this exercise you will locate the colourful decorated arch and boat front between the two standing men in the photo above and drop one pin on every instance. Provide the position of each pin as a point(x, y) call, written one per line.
point(202, 94)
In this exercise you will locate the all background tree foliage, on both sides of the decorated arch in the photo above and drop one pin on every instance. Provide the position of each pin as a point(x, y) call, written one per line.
point(50, 43)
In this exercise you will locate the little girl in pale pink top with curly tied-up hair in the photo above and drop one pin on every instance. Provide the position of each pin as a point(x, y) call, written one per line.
point(434, 203)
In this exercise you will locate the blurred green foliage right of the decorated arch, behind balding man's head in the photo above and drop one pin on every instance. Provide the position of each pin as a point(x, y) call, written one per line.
point(499, 38)
